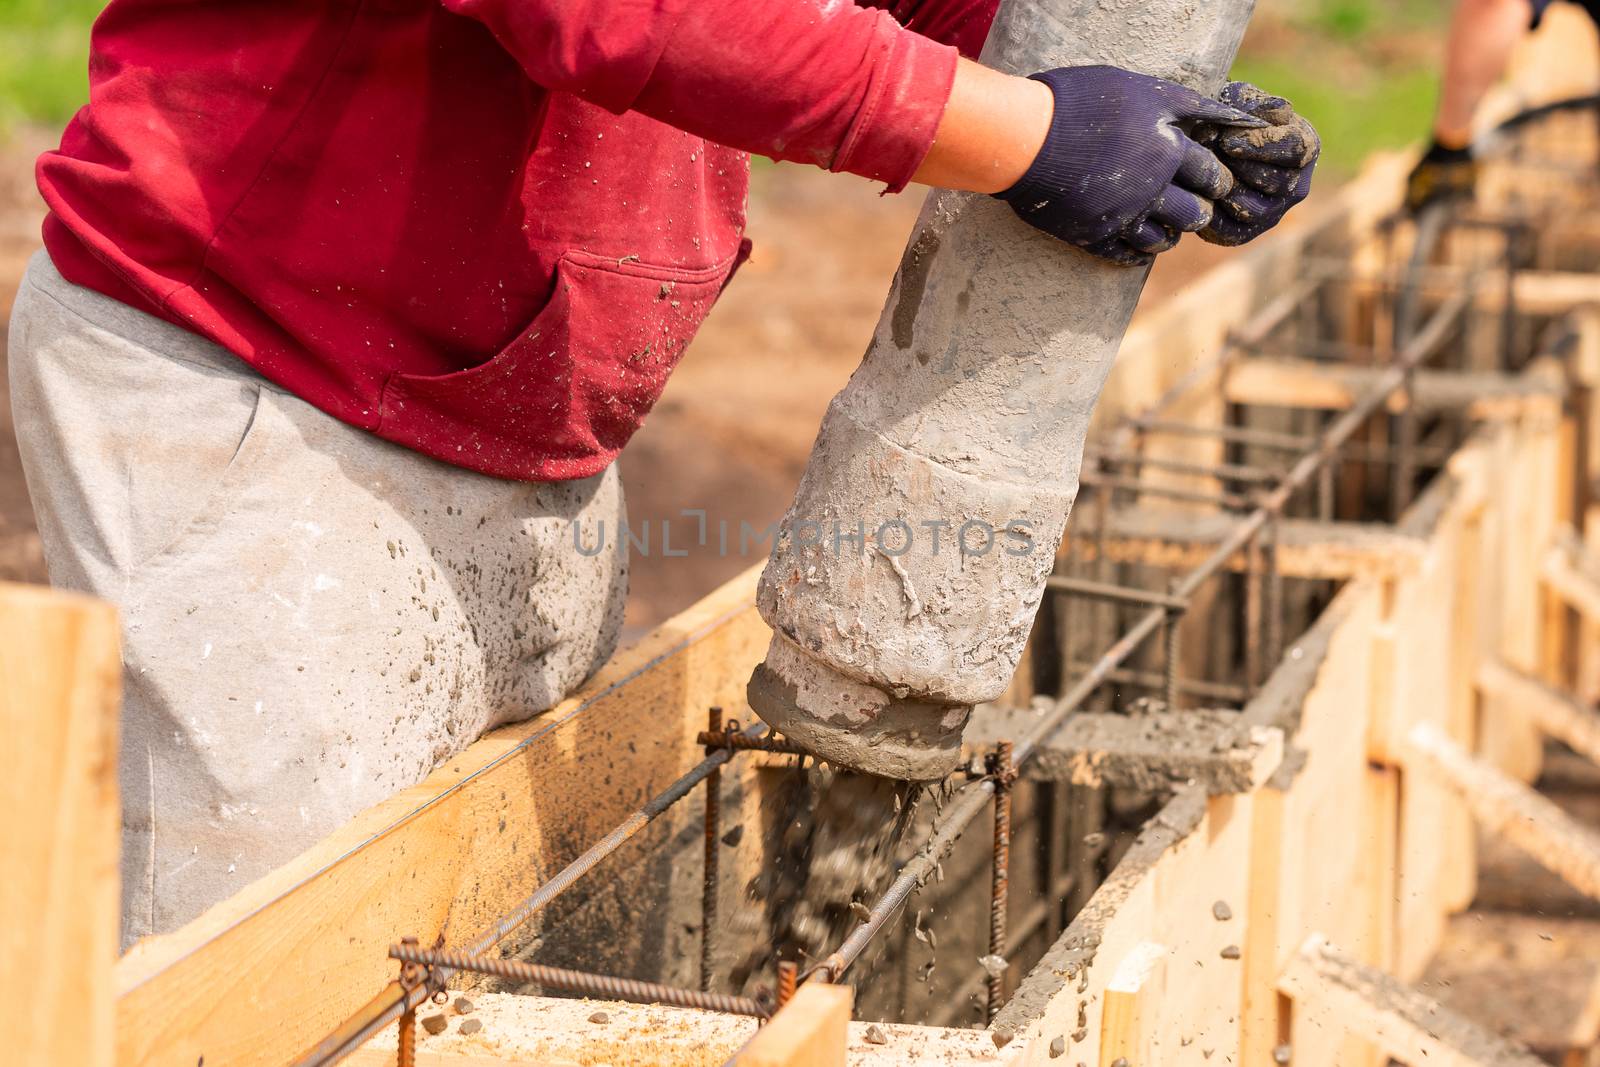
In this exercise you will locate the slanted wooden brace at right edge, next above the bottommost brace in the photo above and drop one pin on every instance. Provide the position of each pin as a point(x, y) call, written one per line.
point(1510, 809)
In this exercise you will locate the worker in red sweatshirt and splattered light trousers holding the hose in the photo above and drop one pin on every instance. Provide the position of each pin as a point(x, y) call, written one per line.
point(350, 306)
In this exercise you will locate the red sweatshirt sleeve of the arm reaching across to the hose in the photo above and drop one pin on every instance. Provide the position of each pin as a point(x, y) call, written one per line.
point(820, 82)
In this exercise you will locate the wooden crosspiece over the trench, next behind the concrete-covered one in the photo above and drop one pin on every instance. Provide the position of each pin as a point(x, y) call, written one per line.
point(1306, 548)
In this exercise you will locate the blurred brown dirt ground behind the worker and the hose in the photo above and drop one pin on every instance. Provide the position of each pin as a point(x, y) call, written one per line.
point(734, 431)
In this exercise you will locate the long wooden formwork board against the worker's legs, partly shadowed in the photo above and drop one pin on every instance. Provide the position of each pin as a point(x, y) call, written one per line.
point(265, 975)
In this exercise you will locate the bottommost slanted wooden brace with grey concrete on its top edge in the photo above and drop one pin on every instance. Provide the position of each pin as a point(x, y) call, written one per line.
point(1340, 994)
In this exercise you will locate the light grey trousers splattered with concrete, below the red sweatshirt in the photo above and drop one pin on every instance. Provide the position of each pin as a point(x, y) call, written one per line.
point(313, 618)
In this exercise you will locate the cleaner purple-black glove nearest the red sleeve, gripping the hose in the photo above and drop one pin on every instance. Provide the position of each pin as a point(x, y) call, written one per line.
point(1118, 177)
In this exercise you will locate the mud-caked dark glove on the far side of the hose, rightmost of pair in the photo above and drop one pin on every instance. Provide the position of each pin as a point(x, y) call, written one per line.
point(1271, 166)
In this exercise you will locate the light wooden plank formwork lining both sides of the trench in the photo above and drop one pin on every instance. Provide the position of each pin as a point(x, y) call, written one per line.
point(1233, 927)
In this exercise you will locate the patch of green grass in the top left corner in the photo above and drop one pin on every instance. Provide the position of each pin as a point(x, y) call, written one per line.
point(44, 58)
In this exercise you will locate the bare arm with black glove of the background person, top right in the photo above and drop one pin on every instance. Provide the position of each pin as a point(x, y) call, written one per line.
point(1482, 36)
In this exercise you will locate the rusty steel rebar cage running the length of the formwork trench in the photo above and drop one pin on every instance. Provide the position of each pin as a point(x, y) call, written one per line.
point(1262, 506)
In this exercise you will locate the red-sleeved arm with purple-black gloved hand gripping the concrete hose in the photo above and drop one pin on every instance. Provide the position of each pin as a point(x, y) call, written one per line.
point(847, 89)
